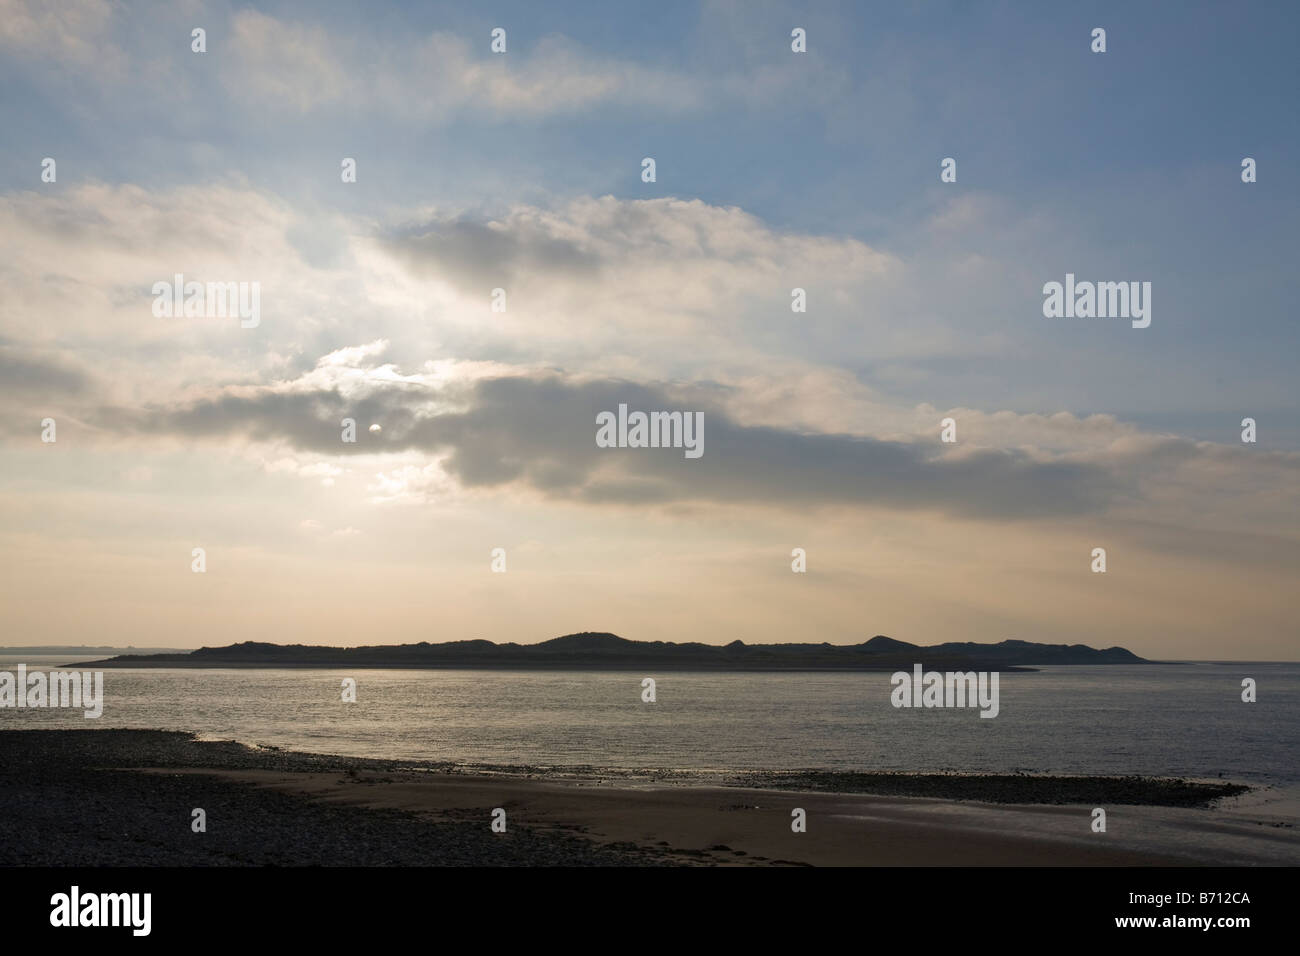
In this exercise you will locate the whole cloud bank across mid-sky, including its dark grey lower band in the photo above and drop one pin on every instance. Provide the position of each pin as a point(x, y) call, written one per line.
point(668, 302)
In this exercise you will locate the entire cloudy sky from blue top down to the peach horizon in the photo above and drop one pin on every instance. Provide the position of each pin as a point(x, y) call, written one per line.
point(774, 171)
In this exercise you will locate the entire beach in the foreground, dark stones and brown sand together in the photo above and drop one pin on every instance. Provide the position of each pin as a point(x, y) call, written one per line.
point(127, 798)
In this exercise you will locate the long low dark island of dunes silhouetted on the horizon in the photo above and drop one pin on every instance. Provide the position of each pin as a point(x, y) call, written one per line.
point(609, 652)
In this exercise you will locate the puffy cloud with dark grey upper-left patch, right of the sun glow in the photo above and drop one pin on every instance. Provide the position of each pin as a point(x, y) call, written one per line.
point(616, 280)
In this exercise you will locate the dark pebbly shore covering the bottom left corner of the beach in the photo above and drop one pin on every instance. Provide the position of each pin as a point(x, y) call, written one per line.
point(71, 798)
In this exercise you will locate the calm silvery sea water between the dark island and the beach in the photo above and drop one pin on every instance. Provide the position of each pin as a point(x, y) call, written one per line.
point(1116, 720)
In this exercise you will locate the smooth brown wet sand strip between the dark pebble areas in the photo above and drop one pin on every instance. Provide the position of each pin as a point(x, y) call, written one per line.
point(721, 825)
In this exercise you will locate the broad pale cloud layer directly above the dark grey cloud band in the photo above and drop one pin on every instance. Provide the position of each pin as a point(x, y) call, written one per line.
point(660, 288)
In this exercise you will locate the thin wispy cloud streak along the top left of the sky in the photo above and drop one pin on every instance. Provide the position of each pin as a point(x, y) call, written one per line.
point(272, 66)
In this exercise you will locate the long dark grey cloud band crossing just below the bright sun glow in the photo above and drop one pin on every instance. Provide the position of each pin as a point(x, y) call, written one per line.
point(541, 432)
